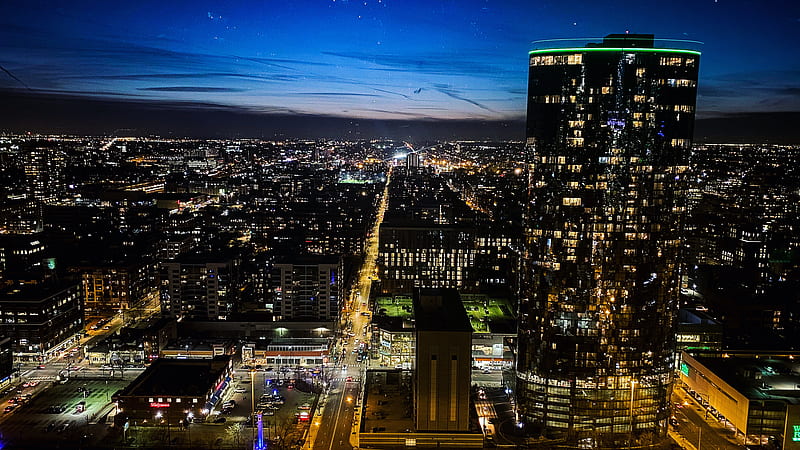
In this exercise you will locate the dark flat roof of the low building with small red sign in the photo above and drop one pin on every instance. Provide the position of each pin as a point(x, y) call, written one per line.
point(178, 377)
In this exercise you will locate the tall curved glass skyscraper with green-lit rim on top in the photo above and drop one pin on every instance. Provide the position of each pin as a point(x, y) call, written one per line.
point(608, 133)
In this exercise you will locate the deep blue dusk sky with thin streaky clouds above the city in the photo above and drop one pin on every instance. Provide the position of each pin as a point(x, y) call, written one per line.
point(392, 61)
